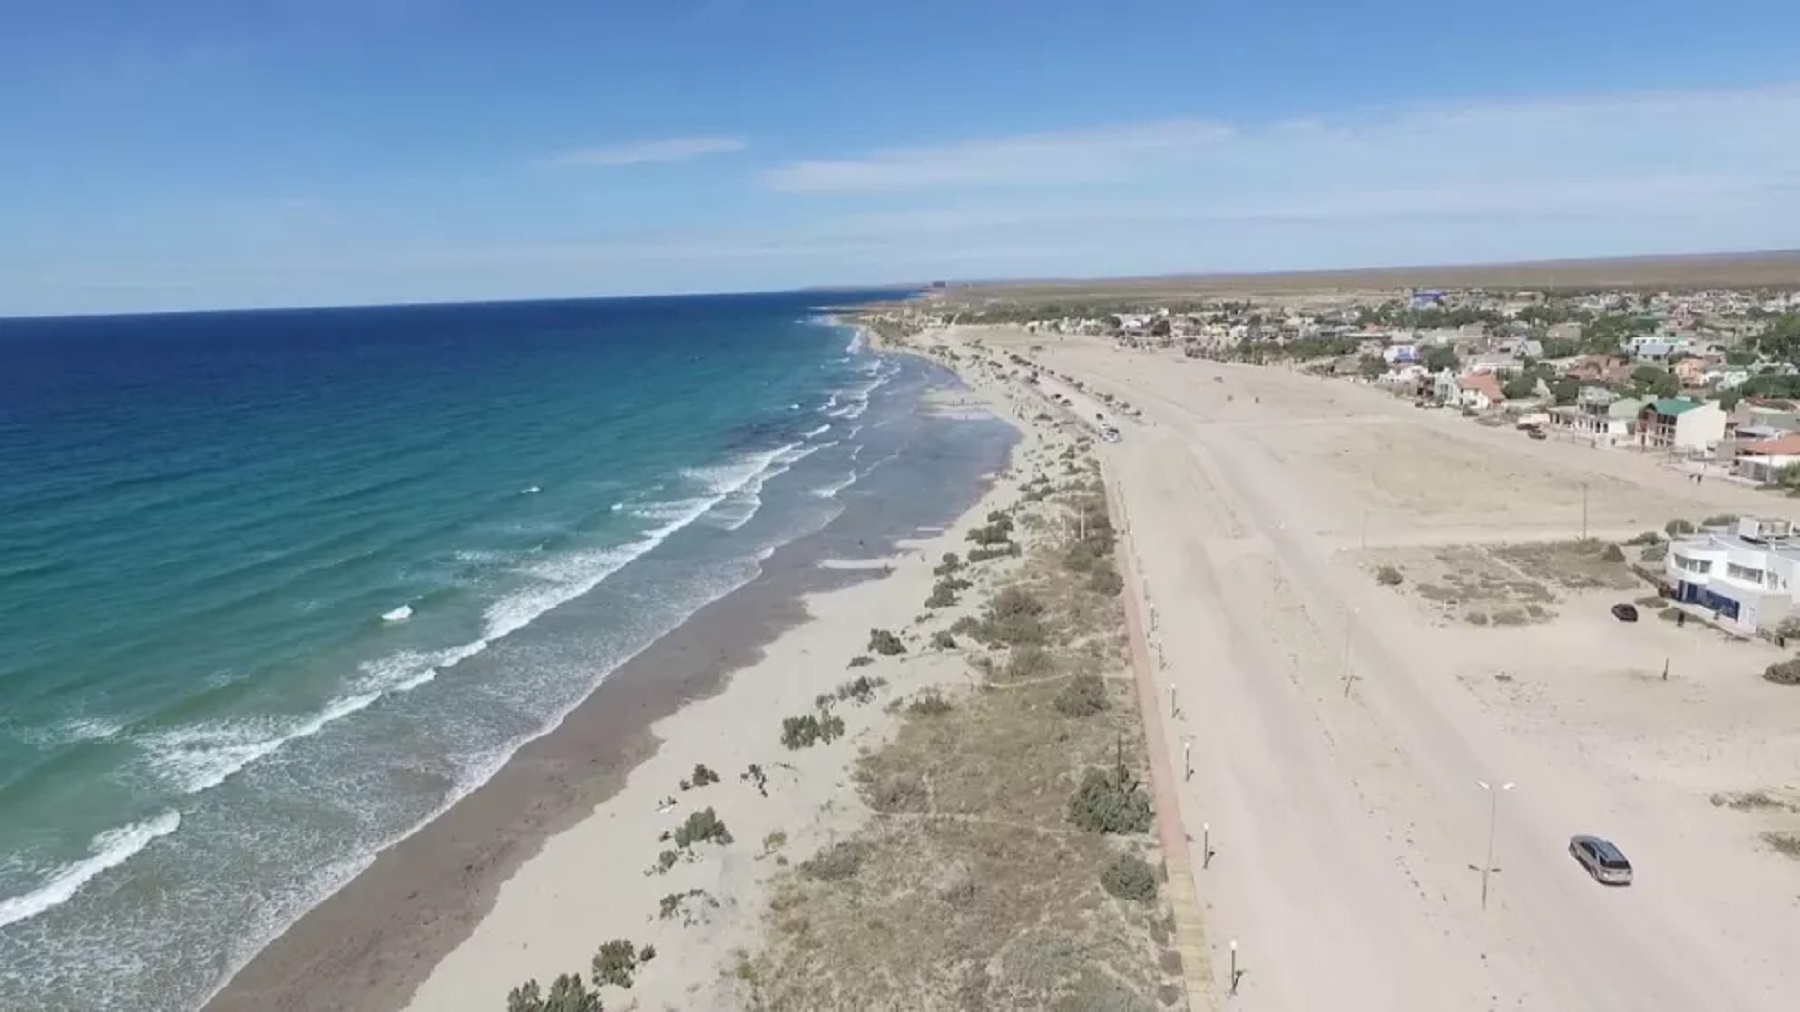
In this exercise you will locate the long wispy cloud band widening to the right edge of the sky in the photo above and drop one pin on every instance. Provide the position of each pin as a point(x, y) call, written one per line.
point(1552, 143)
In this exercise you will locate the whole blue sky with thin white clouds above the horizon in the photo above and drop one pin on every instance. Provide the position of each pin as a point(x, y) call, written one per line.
point(208, 154)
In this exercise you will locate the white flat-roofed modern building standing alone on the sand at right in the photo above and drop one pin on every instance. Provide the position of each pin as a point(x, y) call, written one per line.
point(1749, 577)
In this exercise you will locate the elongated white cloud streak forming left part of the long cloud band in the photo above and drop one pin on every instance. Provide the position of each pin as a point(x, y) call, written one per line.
point(1043, 159)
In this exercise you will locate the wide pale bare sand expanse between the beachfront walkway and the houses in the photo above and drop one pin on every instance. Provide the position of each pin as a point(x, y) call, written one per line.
point(1340, 728)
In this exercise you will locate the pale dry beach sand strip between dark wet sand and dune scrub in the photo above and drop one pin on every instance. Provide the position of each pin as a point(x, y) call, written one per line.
point(591, 883)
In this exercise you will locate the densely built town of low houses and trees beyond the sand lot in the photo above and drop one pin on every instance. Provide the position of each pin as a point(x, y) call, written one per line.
point(1705, 381)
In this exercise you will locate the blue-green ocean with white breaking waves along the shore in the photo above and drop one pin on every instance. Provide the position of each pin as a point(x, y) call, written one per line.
point(246, 556)
